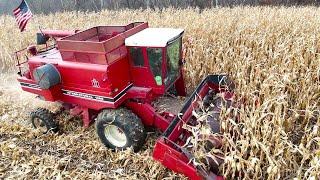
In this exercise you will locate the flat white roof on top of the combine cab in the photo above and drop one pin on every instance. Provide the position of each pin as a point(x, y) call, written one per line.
point(153, 37)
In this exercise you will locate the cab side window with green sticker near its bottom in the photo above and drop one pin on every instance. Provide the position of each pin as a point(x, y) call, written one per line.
point(155, 61)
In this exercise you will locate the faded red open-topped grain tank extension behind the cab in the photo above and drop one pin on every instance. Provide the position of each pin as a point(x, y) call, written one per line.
point(98, 40)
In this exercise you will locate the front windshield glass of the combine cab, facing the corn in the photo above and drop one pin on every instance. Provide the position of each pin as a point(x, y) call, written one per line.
point(173, 56)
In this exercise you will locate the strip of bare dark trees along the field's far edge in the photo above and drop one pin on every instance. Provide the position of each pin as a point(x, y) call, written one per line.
point(52, 6)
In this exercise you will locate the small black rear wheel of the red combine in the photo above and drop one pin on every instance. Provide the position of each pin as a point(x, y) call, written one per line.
point(43, 118)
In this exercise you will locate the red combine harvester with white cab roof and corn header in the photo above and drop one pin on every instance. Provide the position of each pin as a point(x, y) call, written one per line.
point(113, 74)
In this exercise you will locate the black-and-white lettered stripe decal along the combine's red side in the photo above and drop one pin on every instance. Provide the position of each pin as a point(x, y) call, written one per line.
point(95, 97)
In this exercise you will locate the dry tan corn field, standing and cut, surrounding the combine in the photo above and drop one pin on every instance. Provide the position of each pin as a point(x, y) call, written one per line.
point(271, 54)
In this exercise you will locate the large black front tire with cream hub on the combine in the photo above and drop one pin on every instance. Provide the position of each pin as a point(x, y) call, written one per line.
point(127, 123)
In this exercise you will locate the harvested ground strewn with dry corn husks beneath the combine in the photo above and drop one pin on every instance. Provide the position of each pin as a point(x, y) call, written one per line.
point(73, 153)
